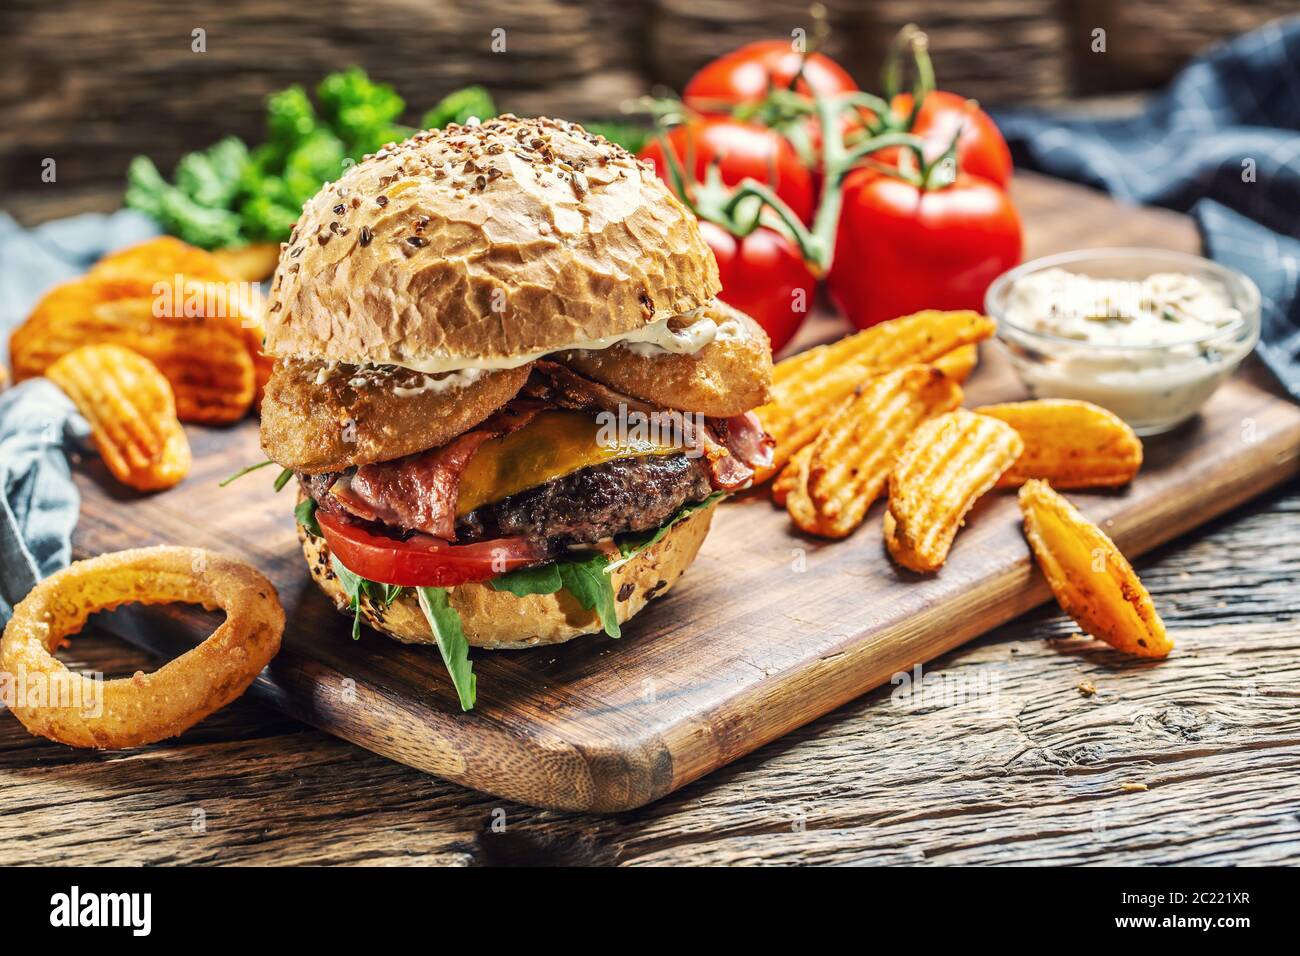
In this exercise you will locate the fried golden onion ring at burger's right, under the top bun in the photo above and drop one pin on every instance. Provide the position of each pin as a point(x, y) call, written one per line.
point(729, 377)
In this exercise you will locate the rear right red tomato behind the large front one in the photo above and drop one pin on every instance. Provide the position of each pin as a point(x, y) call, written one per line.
point(981, 152)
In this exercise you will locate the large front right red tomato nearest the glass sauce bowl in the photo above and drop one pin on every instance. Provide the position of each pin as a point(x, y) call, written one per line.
point(902, 250)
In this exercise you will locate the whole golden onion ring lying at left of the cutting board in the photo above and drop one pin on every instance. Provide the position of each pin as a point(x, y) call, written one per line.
point(137, 711)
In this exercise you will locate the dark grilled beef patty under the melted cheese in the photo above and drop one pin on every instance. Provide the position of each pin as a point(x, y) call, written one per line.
point(590, 505)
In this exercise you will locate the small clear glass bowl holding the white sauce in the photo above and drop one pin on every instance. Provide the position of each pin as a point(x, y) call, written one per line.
point(1152, 387)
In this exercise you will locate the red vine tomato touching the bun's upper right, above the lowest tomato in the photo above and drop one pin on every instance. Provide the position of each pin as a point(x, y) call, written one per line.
point(746, 150)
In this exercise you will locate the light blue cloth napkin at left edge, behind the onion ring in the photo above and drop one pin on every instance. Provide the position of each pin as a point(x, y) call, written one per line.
point(40, 504)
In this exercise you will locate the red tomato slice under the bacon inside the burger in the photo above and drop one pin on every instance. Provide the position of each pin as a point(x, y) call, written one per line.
point(423, 561)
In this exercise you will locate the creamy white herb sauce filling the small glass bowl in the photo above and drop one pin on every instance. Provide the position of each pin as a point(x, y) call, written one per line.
point(1151, 351)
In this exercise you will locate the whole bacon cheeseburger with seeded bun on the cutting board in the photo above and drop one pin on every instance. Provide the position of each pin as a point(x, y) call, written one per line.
point(506, 387)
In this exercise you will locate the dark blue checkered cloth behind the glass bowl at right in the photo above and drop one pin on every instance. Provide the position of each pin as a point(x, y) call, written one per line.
point(1224, 144)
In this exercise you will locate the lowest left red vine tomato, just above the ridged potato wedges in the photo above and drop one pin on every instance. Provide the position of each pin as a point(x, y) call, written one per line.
point(764, 276)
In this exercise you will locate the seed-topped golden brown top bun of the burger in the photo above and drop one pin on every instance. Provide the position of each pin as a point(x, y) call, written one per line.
point(484, 243)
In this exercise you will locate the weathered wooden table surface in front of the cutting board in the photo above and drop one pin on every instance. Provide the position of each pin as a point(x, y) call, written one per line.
point(1029, 746)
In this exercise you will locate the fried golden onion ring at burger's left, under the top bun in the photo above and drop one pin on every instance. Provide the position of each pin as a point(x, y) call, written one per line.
point(356, 419)
